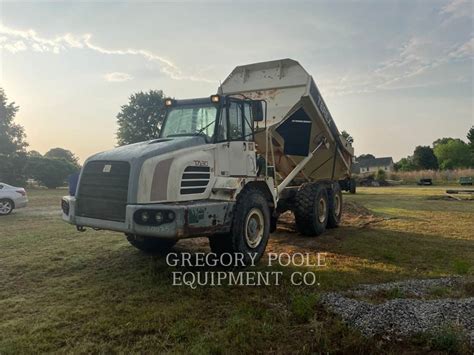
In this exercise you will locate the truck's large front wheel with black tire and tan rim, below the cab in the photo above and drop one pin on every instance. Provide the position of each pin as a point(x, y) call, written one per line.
point(250, 228)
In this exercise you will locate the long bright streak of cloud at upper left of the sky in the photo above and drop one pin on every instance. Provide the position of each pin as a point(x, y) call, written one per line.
point(14, 40)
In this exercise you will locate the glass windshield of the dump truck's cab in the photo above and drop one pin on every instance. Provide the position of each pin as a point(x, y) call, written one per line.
point(190, 120)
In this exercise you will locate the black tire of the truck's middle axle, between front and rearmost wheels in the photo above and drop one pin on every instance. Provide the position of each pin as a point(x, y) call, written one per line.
point(311, 209)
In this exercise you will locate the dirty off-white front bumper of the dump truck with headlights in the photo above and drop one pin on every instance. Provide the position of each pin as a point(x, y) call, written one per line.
point(196, 218)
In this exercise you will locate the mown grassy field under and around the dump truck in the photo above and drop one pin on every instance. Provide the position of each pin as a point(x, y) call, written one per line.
point(64, 291)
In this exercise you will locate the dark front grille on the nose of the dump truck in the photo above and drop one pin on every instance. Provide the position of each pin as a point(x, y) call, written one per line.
point(103, 190)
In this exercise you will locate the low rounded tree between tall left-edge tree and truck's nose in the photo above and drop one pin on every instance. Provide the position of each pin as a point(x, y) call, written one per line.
point(50, 172)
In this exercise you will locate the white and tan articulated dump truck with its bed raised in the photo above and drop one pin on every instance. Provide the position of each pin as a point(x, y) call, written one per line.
point(225, 166)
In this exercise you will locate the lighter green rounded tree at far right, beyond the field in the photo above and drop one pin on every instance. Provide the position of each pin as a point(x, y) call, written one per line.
point(453, 154)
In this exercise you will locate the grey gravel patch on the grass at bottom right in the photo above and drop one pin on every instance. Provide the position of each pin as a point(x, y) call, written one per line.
point(402, 316)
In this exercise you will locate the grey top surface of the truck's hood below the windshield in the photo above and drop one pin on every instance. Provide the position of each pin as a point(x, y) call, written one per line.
point(138, 152)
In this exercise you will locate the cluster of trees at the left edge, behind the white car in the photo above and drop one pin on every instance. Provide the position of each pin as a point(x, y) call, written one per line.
point(17, 165)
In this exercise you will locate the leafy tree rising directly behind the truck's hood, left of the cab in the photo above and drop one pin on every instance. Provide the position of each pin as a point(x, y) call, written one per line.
point(141, 118)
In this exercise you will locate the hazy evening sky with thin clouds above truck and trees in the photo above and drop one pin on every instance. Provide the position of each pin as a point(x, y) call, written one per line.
point(394, 74)
